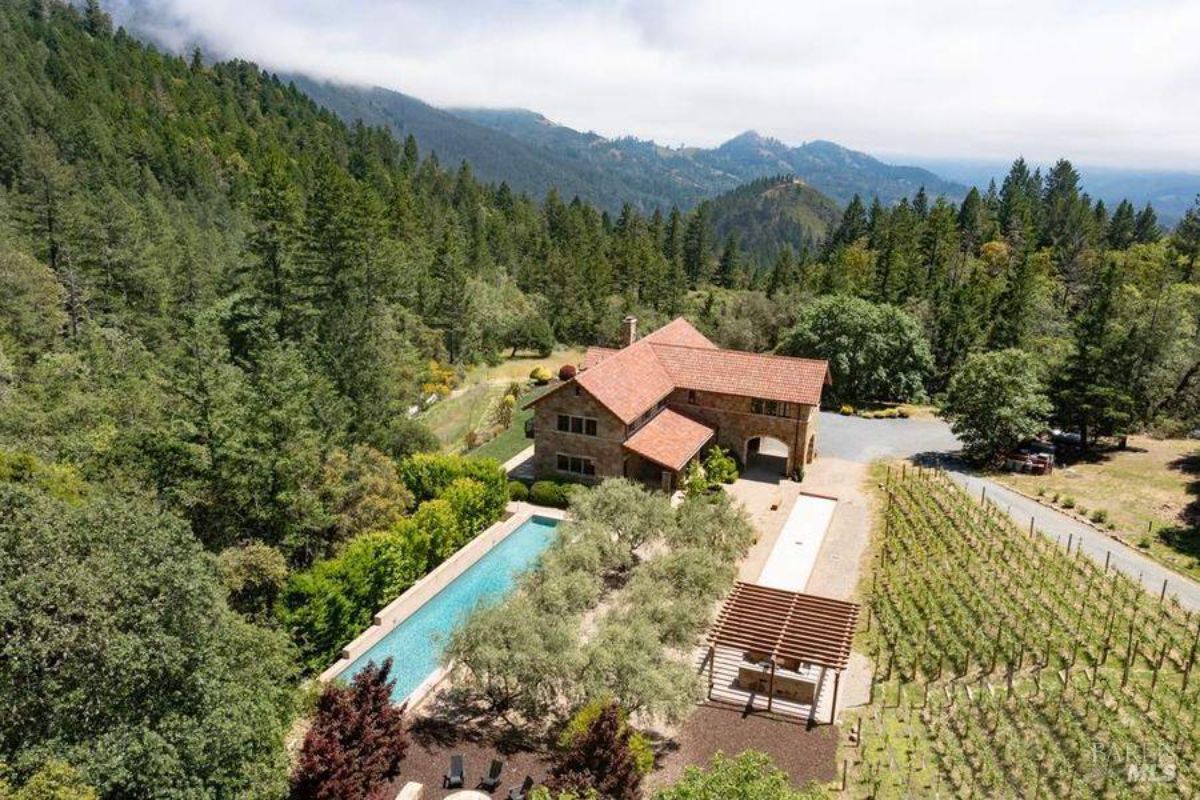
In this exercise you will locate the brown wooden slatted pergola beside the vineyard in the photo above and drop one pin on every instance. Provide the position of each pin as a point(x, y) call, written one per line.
point(790, 627)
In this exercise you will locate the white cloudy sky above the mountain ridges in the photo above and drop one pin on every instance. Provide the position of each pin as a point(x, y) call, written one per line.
point(1102, 82)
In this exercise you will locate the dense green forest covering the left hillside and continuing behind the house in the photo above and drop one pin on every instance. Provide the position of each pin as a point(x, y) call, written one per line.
point(219, 302)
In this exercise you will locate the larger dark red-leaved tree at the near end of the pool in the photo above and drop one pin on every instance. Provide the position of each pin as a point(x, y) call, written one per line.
point(357, 741)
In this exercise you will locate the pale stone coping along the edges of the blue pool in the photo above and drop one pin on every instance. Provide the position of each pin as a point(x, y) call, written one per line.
point(421, 593)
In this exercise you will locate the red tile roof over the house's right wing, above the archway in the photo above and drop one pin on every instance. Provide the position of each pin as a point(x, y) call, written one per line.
point(749, 375)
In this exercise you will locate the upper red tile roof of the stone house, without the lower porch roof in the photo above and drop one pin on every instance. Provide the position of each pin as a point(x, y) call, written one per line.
point(632, 381)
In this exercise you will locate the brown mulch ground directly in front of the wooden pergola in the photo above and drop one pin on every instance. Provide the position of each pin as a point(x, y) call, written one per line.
point(805, 754)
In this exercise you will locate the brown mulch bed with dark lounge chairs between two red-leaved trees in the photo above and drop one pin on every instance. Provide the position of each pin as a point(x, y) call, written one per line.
point(449, 727)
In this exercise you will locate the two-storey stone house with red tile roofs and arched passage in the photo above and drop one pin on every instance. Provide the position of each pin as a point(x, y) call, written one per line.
point(649, 410)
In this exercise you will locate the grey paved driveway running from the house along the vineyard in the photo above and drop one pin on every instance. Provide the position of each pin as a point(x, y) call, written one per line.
point(865, 441)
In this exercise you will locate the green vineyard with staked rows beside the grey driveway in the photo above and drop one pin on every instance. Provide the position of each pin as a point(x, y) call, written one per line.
point(1009, 666)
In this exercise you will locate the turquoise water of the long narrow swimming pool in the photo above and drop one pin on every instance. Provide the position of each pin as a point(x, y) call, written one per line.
point(416, 645)
